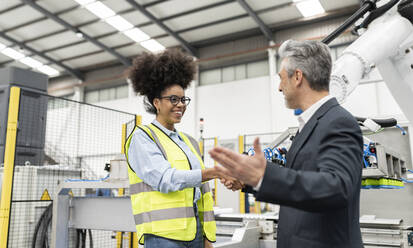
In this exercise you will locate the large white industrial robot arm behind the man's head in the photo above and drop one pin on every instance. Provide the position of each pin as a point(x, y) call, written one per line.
point(387, 45)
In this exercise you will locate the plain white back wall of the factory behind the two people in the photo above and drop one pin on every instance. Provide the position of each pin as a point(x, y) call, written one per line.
point(244, 107)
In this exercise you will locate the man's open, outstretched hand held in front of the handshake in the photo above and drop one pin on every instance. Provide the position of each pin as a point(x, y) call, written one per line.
point(244, 168)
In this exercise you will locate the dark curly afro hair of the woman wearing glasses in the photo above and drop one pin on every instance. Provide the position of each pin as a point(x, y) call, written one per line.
point(151, 74)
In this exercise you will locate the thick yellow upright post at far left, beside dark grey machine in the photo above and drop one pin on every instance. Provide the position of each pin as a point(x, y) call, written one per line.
point(9, 155)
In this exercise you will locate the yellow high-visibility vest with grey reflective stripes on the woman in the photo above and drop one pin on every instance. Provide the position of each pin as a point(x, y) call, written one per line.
point(170, 215)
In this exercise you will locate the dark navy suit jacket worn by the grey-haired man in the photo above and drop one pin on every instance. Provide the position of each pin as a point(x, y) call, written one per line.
point(319, 189)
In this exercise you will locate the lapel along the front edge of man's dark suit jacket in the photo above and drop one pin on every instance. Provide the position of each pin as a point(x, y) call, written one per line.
point(305, 133)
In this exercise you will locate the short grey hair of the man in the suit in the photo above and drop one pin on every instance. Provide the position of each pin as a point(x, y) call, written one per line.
point(313, 58)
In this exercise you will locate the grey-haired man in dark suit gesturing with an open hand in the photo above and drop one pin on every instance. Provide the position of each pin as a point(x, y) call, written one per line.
point(319, 189)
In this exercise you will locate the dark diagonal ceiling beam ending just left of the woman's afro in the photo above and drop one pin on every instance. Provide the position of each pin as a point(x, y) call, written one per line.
point(125, 61)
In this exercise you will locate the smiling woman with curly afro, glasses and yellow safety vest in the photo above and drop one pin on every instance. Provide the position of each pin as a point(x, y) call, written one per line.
point(171, 203)
